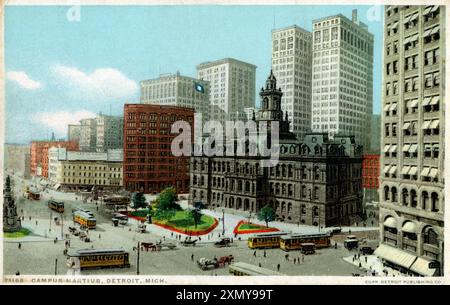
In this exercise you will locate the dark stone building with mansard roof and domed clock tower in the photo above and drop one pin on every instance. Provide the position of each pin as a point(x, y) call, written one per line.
point(316, 182)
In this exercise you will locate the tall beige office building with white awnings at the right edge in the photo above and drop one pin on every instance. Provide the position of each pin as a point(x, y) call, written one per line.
point(412, 160)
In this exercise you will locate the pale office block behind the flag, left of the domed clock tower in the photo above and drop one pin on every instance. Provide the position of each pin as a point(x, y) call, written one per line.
point(232, 89)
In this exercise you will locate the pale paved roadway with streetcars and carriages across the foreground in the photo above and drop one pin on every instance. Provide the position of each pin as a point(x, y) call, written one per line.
point(39, 251)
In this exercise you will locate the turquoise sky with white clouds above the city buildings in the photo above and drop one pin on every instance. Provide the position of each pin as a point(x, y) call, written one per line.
point(66, 63)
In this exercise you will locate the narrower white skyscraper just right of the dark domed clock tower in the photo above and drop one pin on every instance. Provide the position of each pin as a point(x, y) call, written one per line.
point(291, 64)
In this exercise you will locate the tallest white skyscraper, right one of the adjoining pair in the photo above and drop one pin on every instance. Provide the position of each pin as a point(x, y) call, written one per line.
point(342, 77)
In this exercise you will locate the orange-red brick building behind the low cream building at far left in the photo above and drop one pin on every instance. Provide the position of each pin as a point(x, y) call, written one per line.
point(39, 154)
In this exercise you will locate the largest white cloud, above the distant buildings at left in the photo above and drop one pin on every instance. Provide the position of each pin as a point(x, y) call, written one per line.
point(101, 84)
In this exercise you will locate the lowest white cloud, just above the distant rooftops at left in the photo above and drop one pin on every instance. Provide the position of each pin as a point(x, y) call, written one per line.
point(59, 120)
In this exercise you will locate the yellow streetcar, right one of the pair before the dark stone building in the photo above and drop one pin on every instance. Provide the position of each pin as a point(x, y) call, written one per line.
point(295, 241)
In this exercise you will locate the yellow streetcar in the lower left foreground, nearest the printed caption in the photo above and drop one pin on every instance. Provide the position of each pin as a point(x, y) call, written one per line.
point(98, 258)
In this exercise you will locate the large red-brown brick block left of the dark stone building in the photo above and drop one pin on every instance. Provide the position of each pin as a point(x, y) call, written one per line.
point(149, 165)
